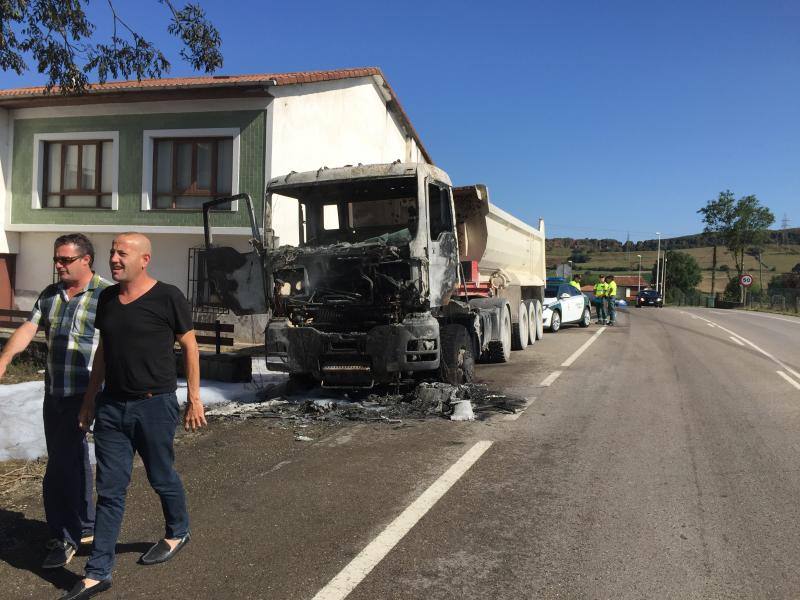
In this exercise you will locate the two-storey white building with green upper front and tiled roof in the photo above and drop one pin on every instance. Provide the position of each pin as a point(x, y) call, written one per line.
point(143, 156)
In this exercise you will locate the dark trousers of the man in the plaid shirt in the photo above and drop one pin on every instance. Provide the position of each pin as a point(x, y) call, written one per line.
point(67, 485)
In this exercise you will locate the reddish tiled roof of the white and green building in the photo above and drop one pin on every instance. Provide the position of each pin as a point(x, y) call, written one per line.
point(205, 86)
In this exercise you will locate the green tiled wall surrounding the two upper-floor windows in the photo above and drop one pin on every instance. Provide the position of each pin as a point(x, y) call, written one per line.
point(131, 127)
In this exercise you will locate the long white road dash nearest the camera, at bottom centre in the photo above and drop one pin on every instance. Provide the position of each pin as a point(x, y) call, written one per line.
point(354, 573)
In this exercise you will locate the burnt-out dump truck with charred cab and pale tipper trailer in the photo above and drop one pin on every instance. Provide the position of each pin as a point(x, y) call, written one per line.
point(397, 276)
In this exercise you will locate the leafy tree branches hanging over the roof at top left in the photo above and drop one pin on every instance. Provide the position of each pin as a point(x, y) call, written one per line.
point(57, 36)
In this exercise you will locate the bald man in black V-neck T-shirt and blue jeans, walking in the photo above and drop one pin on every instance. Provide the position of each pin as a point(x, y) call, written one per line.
point(139, 320)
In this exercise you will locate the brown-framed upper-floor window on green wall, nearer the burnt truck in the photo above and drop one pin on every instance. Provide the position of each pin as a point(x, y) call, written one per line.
point(189, 171)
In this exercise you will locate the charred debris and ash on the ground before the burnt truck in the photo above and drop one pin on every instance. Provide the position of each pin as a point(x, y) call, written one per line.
point(432, 400)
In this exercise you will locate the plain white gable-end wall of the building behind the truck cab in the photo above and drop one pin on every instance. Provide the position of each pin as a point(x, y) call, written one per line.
point(329, 125)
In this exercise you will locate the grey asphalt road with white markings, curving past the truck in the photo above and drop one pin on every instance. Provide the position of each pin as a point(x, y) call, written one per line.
point(661, 462)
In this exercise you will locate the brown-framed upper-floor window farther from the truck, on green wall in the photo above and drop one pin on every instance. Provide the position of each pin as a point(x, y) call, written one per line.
point(77, 174)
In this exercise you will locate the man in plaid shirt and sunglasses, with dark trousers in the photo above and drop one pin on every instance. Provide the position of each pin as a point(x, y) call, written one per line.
point(66, 311)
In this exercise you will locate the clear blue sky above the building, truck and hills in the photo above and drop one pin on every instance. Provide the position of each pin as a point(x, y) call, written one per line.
point(602, 117)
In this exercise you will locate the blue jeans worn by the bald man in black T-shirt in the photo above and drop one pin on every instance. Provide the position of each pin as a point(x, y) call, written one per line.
point(122, 427)
